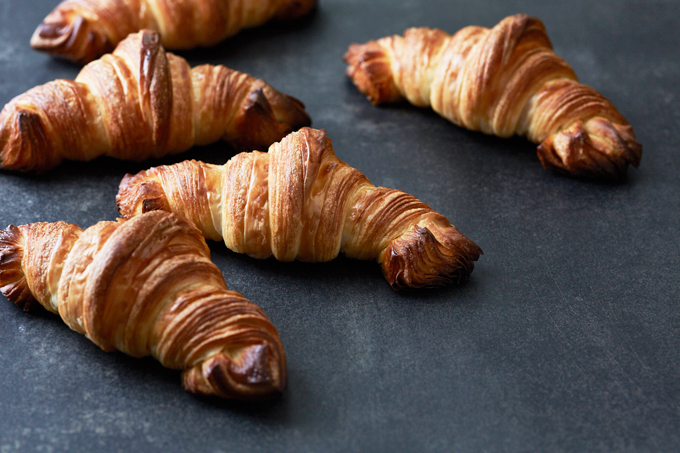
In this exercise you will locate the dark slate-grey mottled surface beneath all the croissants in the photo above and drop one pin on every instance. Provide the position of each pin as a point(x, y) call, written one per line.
point(565, 339)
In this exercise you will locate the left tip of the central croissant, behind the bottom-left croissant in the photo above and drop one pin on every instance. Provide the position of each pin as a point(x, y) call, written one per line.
point(140, 193)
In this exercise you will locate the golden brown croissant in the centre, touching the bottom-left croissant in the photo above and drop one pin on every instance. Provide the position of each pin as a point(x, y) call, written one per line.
point(299, 201)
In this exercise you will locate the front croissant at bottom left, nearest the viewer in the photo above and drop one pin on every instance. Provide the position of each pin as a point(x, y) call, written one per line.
point(146, 286)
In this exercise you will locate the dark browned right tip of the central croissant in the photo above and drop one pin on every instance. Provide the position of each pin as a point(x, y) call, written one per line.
point(428, 255)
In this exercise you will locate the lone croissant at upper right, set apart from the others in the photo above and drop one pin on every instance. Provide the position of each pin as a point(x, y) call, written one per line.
point(503, 81)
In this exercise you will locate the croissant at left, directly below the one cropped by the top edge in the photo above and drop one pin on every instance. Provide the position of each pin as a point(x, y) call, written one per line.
point(141, 102)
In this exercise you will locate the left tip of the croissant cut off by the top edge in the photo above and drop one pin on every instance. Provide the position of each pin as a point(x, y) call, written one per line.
point(71, 37)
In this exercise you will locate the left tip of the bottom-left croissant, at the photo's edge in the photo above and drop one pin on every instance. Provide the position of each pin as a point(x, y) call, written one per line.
point(13, 284)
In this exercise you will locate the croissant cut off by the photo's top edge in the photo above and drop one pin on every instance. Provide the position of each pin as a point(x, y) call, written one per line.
point(82, 30)
